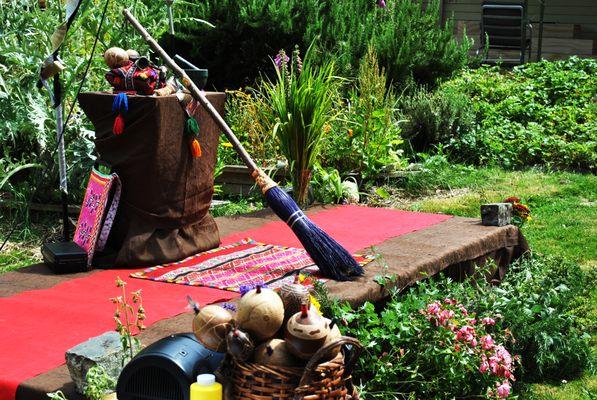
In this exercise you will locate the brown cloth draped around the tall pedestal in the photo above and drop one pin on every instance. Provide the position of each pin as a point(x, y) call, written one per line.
point(166, 193)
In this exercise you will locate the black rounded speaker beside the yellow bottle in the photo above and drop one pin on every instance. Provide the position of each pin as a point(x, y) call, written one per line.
point(166, 369)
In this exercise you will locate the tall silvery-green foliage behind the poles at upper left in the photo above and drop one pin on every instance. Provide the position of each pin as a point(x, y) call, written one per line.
point(27, 122)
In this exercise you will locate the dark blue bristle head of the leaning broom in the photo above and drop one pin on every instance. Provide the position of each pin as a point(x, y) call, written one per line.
point(333, 260)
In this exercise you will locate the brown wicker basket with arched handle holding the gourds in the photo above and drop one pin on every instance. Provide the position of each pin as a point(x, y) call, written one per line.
point(328, 380)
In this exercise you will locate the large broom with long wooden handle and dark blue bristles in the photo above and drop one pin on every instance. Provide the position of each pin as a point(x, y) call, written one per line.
point(332, 259)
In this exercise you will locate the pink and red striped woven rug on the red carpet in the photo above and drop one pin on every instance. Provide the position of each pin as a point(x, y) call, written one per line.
point(245, 263)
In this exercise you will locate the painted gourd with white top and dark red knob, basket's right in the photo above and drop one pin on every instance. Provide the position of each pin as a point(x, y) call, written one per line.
point(306, 332)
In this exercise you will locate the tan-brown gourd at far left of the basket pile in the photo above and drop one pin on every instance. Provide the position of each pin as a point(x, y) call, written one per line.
point(210, 326)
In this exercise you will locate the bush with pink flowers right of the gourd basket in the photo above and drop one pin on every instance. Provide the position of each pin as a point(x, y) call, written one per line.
point(428, 348)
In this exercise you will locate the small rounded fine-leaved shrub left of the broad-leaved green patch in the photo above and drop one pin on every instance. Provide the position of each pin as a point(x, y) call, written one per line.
point(432, 118)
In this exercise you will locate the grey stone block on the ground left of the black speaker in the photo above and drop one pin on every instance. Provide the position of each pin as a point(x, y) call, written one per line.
point(104, 350)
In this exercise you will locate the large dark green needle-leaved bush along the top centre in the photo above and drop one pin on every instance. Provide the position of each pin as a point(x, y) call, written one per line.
point(408, 39)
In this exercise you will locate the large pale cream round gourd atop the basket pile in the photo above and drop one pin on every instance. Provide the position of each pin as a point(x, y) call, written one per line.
point(260, 313)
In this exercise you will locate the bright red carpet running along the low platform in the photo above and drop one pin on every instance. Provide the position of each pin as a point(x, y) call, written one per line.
point(39, 326)
